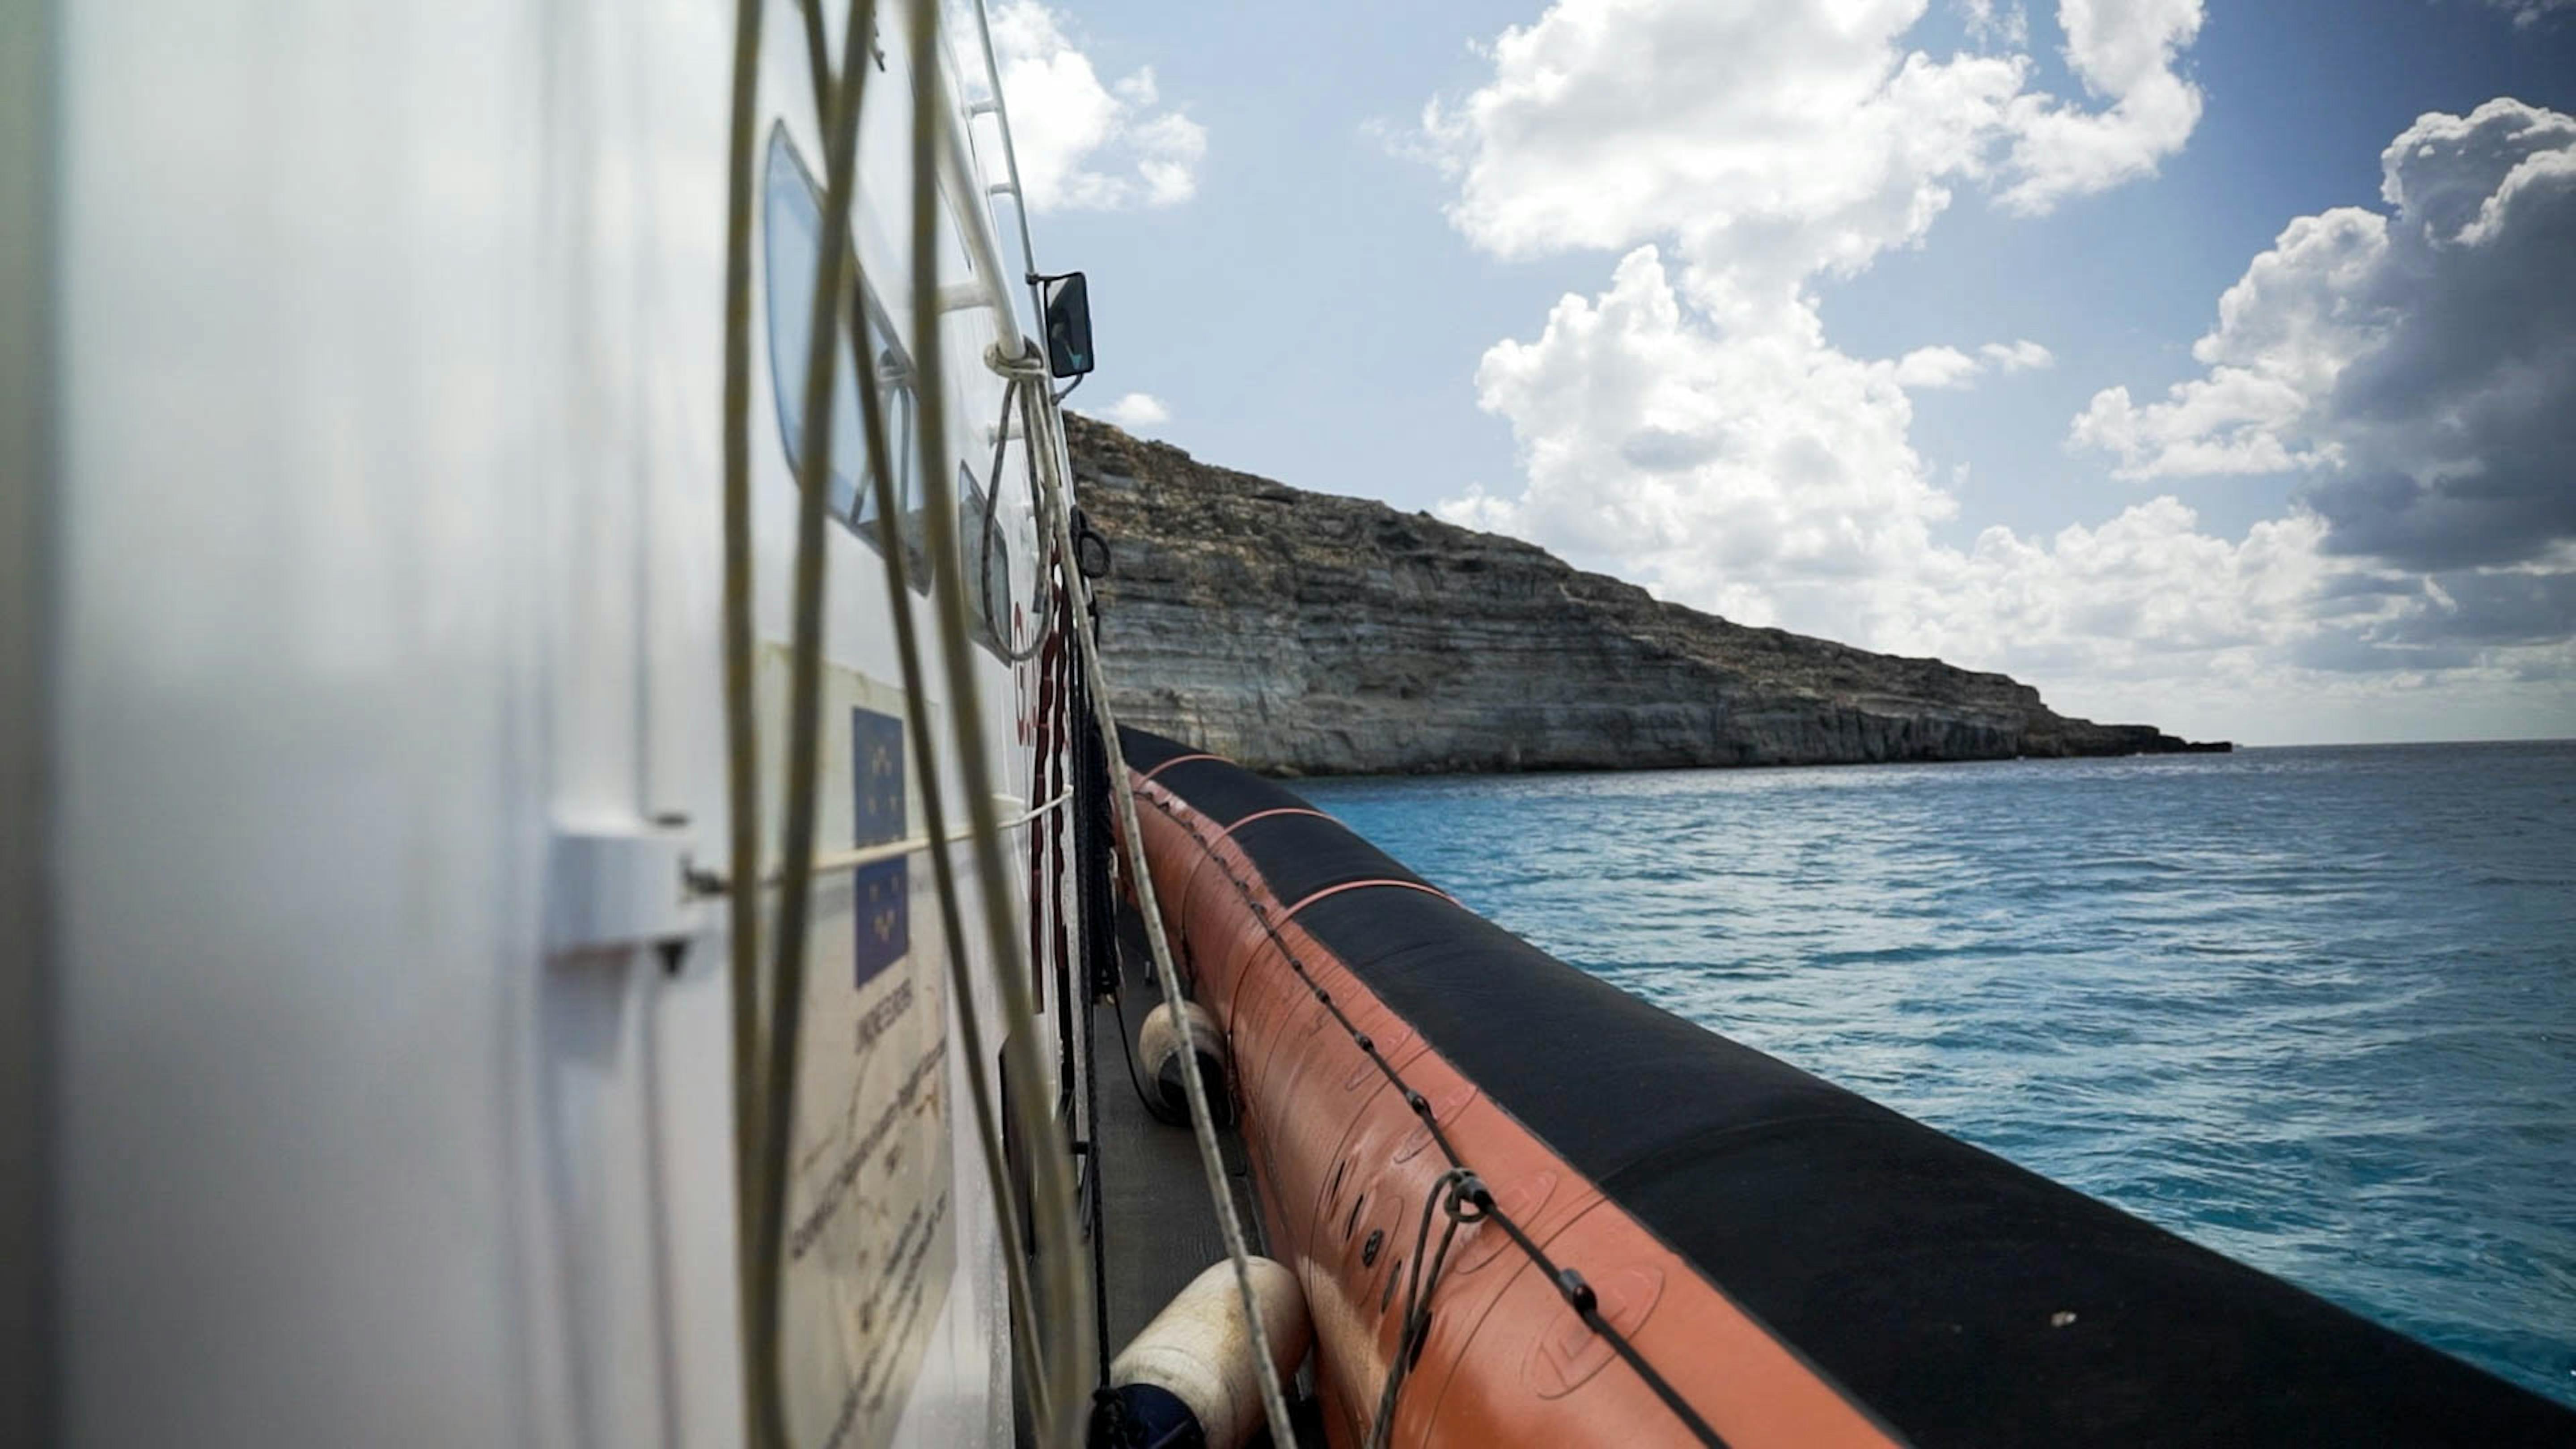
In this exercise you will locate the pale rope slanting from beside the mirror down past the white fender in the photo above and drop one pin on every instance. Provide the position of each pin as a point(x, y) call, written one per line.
point(1202, 1120)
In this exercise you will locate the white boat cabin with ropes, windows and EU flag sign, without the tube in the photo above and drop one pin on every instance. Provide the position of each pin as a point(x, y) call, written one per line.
point(465, 775)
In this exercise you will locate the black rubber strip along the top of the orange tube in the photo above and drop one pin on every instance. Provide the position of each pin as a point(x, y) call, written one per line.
point(1962, 1298)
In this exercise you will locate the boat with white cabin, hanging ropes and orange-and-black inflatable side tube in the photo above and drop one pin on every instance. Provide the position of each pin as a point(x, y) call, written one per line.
point(576, 880)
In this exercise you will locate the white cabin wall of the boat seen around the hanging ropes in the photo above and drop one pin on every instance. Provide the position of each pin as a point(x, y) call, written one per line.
point(390, 550)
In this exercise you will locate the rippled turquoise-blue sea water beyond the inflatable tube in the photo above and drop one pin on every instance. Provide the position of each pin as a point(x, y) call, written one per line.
point(2315, 1009)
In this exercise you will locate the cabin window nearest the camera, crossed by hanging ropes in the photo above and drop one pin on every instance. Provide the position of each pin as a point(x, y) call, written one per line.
point(792, 249)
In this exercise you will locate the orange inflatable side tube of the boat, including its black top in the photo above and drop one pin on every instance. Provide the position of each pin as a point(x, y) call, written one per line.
point(1557, 1216)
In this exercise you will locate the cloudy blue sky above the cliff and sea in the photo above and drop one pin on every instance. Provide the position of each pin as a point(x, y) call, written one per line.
point(2201, 362)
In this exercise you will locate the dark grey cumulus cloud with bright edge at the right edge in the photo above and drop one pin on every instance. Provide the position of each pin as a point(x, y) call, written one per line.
point(2418, 365)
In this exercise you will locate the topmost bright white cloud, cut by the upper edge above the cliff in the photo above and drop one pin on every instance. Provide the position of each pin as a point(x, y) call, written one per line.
point(1786, 141)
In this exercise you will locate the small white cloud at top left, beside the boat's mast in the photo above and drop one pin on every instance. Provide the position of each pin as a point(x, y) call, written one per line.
point(1081, 143)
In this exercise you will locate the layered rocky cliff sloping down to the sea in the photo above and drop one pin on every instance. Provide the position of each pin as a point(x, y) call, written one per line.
point(1305, 633)
